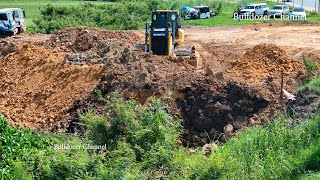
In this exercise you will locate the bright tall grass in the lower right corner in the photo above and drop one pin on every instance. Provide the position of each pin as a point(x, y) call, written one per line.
point(278, 151)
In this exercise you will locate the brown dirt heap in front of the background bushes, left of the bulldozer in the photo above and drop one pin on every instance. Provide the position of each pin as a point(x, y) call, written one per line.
point(81, 39)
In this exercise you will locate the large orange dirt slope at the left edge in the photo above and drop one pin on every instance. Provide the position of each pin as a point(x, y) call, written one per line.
point(37, 87)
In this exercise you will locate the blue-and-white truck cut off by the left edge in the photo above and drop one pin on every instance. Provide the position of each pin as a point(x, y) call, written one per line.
point(8, 22)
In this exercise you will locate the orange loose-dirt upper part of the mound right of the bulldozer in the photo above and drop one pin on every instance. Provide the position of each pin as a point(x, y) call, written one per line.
point(264, 61)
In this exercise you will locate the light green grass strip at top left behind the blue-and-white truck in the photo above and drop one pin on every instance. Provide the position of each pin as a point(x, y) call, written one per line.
point(33, 7)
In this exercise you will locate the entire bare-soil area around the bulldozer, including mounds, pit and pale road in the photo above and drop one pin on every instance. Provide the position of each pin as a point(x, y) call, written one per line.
point(44, 84)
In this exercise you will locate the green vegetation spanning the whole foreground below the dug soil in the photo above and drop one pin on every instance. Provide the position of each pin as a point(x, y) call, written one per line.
point(140, 142)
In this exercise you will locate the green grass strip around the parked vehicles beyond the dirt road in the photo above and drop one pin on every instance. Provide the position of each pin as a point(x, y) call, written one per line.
point(225, 17)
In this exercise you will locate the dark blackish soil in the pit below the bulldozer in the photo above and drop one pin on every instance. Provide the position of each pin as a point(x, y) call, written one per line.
point(206, 112)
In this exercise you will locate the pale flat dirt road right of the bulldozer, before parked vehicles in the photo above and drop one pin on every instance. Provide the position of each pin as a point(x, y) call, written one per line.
point(288, 37)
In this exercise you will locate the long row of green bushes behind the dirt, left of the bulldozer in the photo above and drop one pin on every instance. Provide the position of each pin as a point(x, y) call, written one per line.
point(108, 16)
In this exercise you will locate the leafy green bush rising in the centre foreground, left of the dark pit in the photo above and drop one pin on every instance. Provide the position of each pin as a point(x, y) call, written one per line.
point(148, 130)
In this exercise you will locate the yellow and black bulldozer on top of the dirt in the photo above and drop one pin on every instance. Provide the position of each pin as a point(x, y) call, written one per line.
point(165, 37)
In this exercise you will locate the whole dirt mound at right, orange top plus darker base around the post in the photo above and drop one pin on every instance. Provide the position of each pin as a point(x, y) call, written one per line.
point(261, 67)
